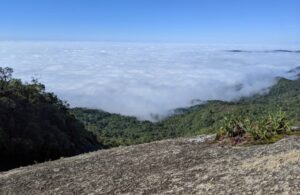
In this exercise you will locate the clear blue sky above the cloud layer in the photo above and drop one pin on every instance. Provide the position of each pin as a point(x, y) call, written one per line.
point(204, 21)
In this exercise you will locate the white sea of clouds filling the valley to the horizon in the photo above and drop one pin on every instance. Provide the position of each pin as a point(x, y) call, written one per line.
point(141, 79)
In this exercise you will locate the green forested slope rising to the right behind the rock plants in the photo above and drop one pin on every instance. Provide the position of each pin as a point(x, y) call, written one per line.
point(206, 118)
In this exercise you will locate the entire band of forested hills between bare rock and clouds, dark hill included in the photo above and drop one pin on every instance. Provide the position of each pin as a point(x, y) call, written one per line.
point(35, 125)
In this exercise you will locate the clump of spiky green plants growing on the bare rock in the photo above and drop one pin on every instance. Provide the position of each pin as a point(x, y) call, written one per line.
point(261, 129)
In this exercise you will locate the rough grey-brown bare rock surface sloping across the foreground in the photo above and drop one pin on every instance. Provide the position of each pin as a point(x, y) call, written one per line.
point(179, 166)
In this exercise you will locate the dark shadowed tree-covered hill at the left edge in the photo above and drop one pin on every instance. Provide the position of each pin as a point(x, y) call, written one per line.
point(36, 125)
